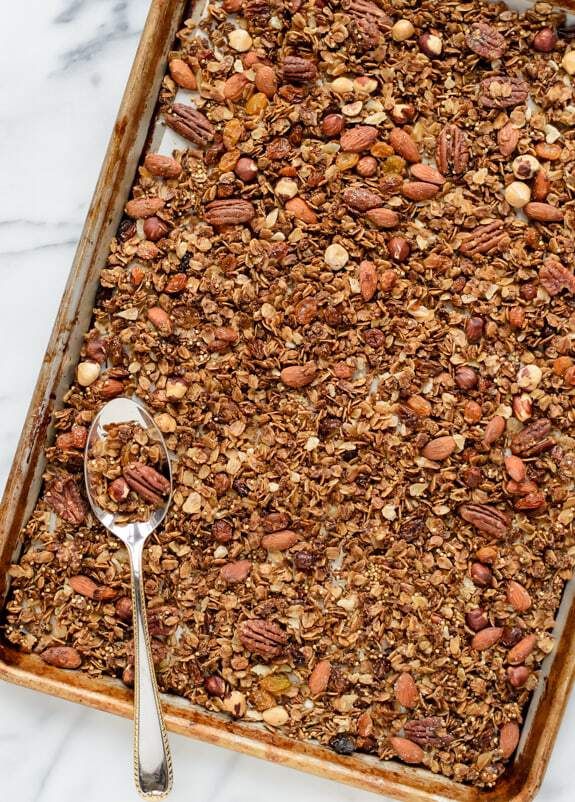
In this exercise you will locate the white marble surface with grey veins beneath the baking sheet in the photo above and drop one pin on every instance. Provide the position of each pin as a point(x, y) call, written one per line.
point(63, 65)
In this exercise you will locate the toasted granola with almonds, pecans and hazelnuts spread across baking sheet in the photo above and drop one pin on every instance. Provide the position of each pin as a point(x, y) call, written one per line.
point(346, 300)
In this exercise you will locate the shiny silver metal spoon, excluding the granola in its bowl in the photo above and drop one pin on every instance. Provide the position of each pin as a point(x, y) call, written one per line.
point(152, 759)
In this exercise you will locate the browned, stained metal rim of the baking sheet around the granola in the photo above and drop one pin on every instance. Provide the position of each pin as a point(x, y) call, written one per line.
point(393, 779)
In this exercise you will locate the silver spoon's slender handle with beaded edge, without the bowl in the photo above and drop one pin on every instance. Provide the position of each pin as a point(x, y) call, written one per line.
point(152, 758)
